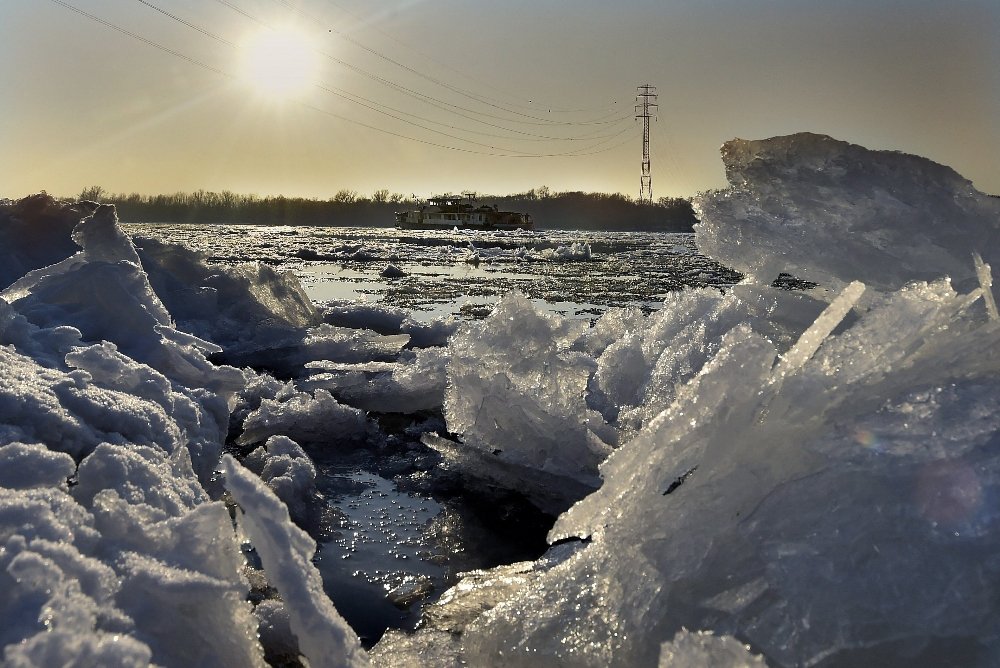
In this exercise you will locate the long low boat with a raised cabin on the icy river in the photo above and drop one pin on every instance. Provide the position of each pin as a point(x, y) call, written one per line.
point(446, 212)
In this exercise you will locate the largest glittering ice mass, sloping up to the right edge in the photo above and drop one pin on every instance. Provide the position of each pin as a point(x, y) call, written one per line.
point(821, 519)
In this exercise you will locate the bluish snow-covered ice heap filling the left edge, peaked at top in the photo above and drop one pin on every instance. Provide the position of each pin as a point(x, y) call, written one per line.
point(112, 551)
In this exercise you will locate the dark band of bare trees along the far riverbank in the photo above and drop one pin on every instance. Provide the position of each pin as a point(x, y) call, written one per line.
point(565, 210)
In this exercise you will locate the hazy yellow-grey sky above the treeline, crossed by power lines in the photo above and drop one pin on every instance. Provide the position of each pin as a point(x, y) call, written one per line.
point(397, 81)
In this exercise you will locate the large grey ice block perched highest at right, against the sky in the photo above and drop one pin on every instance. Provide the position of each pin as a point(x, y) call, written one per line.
point(831, 212)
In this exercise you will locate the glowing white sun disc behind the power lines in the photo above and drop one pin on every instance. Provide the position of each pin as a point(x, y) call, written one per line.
point(279, 63)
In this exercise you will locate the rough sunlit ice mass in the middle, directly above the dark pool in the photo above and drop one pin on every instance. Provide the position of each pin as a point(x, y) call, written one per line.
point(525, 389)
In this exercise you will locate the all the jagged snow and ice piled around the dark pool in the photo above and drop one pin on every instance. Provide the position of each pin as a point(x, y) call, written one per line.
point(743, 476)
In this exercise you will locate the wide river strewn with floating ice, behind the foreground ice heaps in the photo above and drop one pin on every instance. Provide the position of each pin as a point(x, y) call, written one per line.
point(462, 273)
